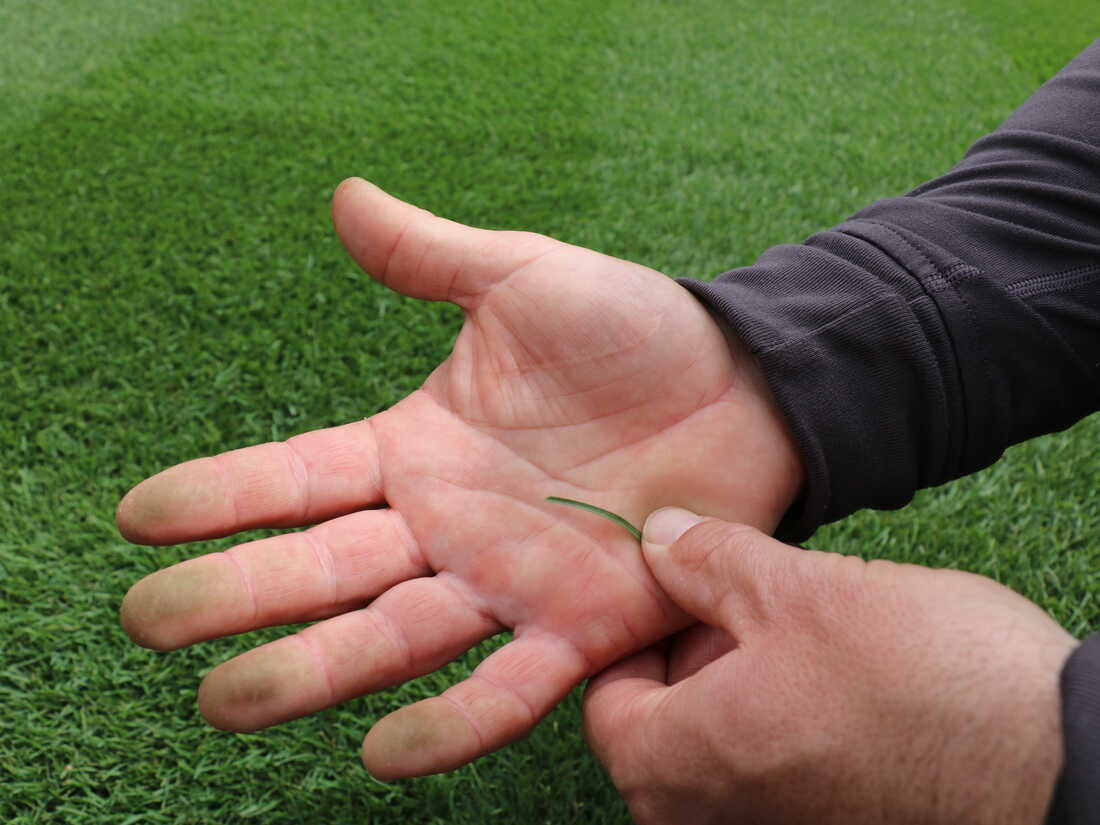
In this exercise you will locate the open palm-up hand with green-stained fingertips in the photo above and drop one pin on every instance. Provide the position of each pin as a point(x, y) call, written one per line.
point(576, 376)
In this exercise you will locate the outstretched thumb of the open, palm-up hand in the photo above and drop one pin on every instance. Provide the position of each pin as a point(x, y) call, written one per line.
point(415, 254)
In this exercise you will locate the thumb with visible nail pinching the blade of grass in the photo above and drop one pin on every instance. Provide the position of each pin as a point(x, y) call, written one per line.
point(728, 576)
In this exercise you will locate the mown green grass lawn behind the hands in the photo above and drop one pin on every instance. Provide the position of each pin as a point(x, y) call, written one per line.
point(170, 288)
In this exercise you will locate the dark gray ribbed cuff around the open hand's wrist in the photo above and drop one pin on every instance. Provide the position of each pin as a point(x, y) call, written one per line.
point(854, 348)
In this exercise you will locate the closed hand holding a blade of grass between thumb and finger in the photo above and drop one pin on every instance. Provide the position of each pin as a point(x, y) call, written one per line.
point(830, 690)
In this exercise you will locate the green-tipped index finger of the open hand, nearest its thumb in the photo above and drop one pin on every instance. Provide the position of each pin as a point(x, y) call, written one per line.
point(302, 481)
